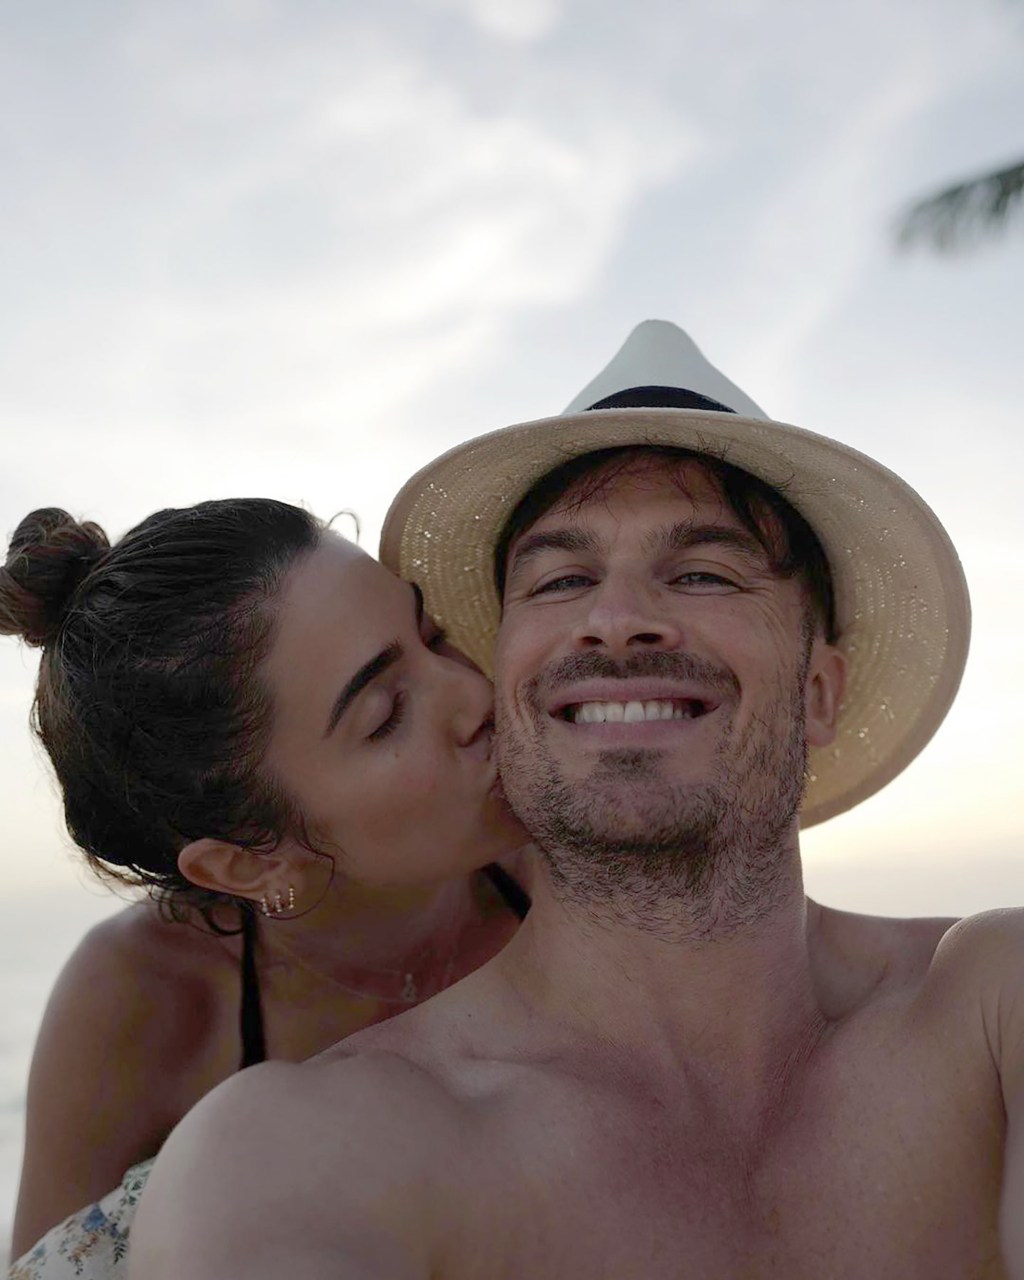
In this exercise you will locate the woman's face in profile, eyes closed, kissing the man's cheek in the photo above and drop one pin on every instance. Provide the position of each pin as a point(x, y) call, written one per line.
point(382, 733)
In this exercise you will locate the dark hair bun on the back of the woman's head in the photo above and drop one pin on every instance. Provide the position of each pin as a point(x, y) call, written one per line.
point(49, 556)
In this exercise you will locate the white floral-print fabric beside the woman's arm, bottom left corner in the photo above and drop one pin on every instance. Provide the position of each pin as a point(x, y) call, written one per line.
point(92, 1245)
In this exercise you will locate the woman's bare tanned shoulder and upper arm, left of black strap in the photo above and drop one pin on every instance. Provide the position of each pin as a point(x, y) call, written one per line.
point(135, 1032)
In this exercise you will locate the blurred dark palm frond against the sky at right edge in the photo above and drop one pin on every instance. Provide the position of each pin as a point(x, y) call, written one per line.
point(967, 213)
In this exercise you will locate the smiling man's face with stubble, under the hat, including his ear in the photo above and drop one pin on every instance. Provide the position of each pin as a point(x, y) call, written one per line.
point(655, 678)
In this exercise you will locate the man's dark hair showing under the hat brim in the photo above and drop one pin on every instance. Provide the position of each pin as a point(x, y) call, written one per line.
point(788, 541)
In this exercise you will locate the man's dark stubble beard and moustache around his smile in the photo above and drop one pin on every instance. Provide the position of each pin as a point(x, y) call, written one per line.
point(669, 858)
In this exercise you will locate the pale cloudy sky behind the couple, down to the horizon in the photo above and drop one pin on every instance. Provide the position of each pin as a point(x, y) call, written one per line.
point(254, 248)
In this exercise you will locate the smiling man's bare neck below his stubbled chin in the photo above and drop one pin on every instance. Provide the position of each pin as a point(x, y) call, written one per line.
point(739, 1007)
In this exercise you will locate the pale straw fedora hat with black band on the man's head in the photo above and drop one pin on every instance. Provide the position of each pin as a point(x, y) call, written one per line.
point(902, 601)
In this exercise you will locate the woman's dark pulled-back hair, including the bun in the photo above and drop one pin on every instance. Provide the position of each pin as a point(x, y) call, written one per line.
point(149, 700)
